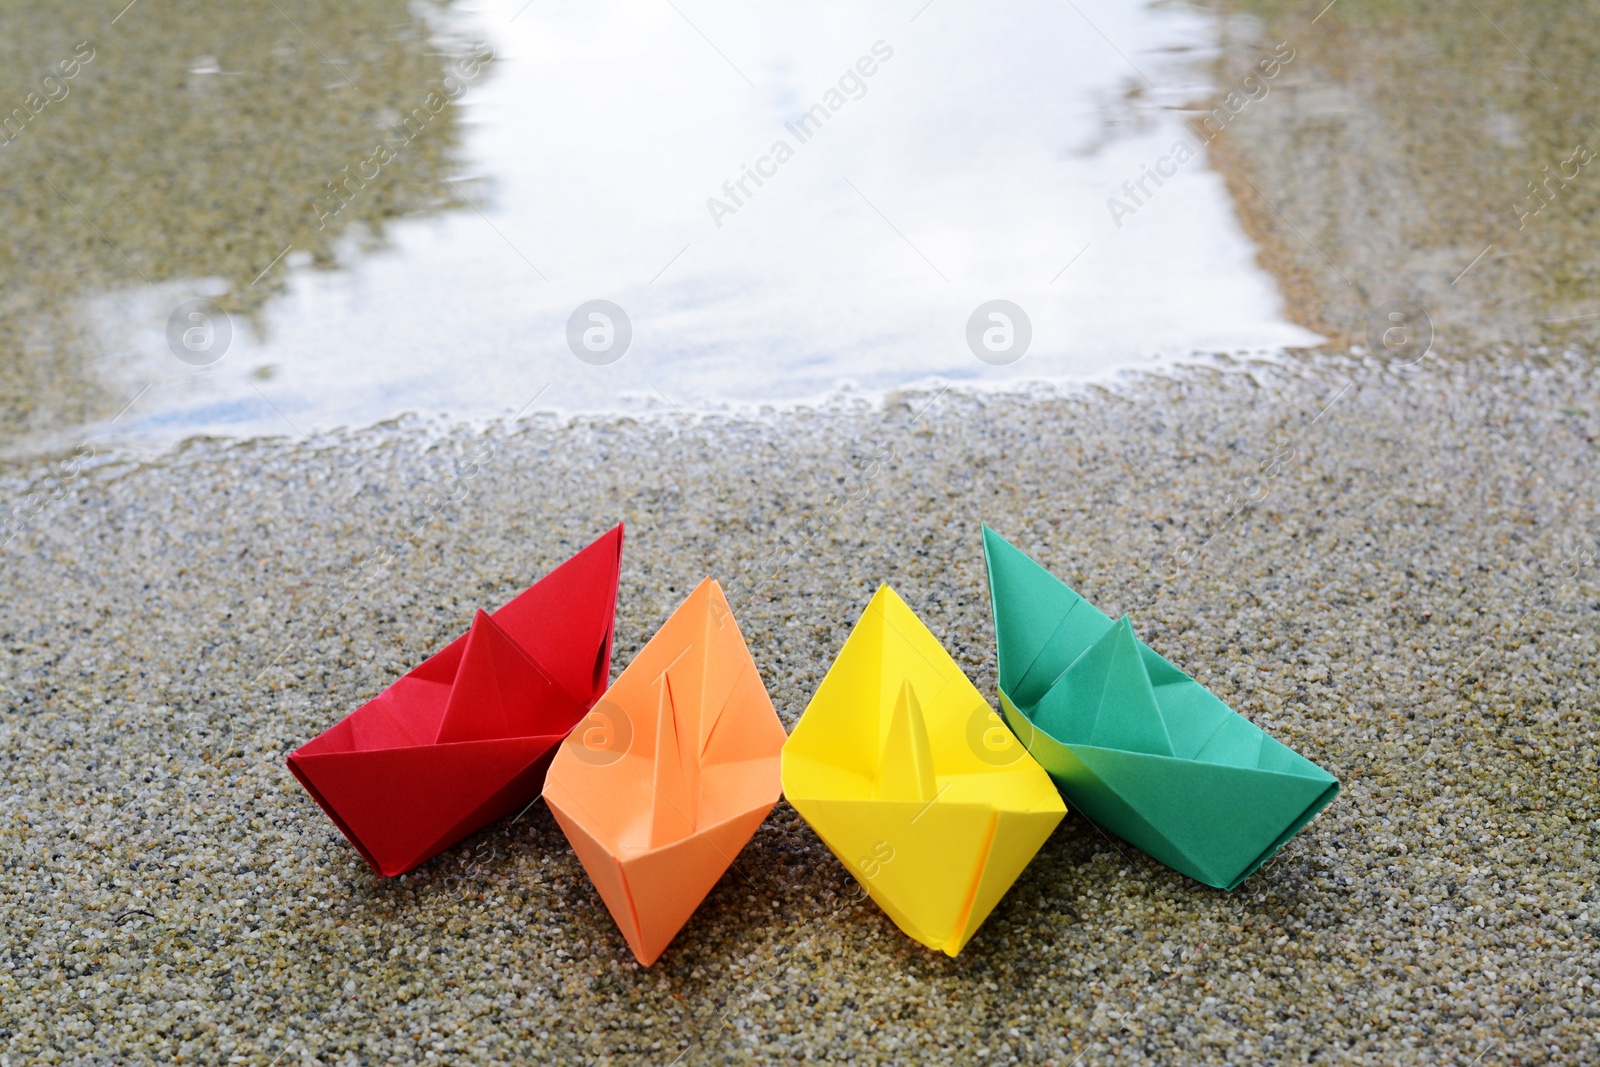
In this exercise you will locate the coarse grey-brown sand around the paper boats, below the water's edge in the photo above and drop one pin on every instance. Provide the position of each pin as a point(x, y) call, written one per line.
point(1410, 604)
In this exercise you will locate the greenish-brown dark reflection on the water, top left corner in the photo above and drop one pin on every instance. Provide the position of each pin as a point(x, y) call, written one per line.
point(183, 159)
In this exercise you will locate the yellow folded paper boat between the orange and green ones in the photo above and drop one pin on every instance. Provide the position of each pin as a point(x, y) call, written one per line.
point(911, 780)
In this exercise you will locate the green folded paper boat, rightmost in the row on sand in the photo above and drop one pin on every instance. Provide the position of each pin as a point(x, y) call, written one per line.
point(1135, 745)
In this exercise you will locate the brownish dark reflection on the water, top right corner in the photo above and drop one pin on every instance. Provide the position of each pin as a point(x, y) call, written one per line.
point(1428, 153)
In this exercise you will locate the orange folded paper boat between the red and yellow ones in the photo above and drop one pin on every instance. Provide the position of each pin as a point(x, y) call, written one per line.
point(671, 773)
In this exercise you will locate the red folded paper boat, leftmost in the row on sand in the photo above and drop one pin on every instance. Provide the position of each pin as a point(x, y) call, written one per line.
point(466, 738)
